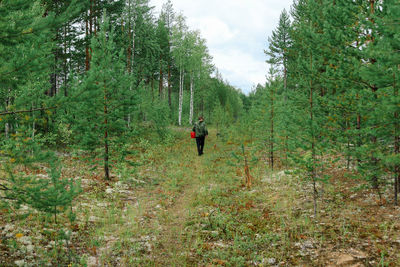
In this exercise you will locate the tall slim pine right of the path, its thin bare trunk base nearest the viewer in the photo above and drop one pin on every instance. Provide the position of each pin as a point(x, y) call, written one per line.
point(308, 100)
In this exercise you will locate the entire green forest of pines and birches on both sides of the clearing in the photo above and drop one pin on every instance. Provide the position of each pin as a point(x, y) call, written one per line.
point(83, 77)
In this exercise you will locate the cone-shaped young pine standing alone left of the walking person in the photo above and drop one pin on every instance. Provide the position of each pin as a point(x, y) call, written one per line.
point(103, 98)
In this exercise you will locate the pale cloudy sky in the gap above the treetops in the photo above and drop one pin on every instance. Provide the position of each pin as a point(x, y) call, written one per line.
point(236, 32)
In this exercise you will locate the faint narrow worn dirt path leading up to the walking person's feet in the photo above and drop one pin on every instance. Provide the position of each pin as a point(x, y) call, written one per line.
point(172, 244)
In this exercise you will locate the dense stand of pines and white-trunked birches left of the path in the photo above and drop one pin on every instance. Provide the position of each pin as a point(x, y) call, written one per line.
point(91, 74)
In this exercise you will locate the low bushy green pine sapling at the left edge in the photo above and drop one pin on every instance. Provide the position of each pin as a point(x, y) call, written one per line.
point(48, 191)
